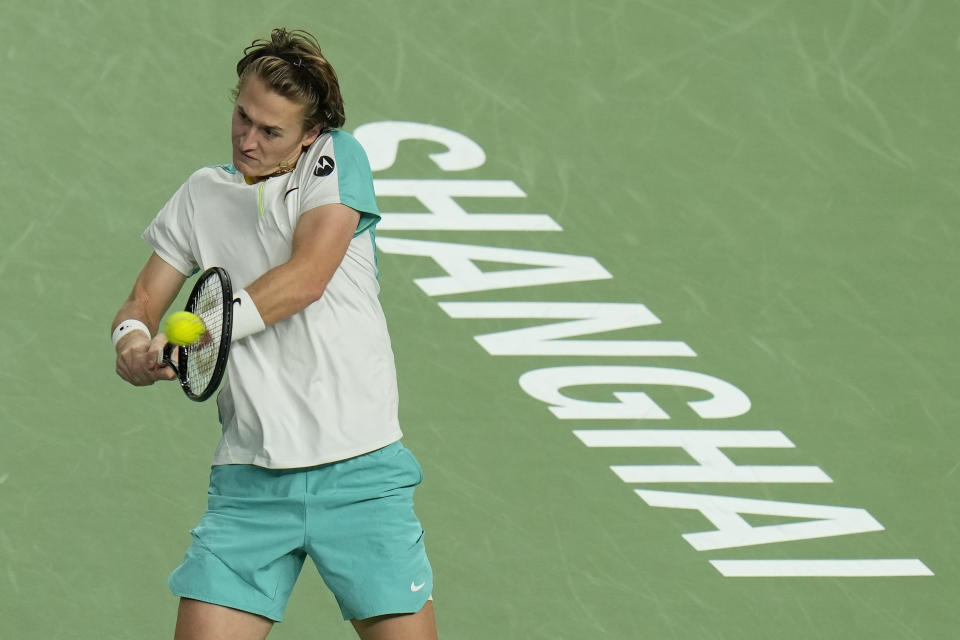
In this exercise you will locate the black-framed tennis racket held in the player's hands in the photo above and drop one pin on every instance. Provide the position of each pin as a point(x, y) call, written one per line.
point(200, 366)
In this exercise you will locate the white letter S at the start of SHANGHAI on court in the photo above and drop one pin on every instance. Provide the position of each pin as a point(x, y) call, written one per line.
point(381, 141)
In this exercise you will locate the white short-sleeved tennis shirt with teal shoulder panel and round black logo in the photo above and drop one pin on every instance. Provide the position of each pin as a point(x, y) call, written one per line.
point(321, 385)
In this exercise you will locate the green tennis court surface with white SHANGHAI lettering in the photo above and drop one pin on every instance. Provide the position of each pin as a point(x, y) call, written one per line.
point(745, 210)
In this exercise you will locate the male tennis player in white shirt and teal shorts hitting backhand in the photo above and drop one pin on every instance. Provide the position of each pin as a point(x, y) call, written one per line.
point(310, 461)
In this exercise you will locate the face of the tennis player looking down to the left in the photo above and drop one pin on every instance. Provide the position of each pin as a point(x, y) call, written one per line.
point(267, 130)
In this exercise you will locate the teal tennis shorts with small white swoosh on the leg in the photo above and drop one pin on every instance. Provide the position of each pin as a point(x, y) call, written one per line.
point(354, 518)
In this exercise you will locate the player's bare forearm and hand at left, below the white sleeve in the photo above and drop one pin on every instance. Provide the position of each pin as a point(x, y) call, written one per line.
point(154, 290)
